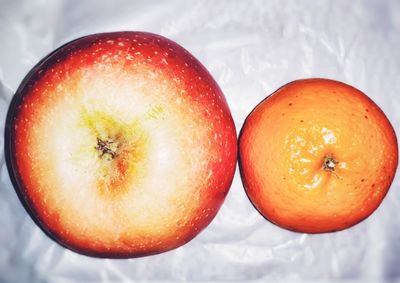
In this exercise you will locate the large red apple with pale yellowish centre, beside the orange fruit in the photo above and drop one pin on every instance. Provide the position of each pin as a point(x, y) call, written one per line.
point(120, 145)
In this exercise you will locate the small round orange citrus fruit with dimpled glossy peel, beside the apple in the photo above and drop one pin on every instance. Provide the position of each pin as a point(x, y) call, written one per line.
point(317, 156)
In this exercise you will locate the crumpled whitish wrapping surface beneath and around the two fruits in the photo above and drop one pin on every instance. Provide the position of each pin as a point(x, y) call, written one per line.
point(251, 48)
